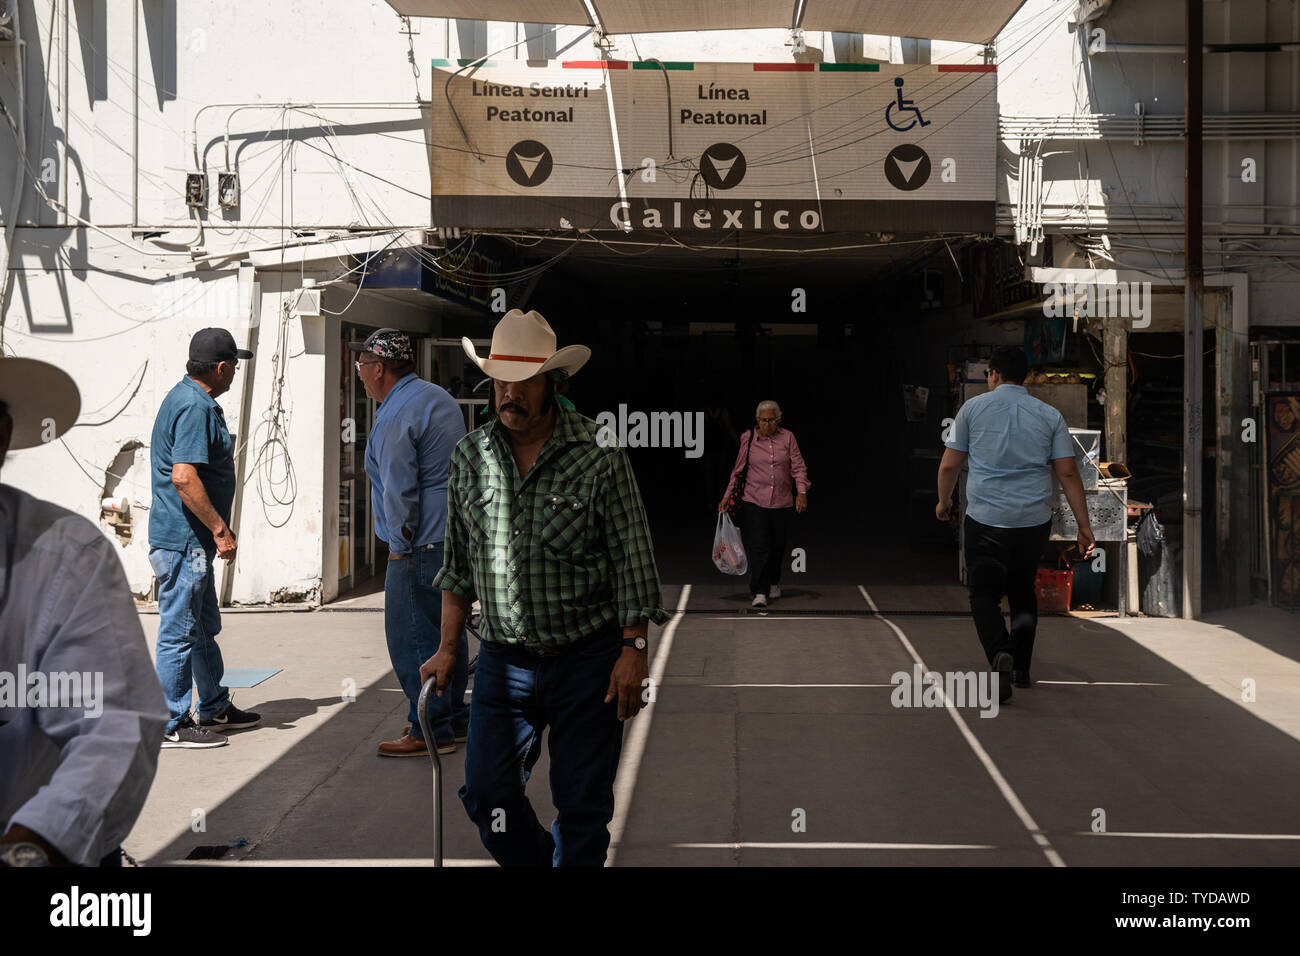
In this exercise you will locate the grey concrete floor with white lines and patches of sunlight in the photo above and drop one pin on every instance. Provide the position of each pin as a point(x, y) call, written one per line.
point(768, 721)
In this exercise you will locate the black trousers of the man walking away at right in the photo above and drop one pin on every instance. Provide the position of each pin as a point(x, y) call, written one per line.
point(1003, 561)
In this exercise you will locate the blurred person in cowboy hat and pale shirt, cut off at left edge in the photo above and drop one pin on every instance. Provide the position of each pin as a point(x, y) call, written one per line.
point(81, 710)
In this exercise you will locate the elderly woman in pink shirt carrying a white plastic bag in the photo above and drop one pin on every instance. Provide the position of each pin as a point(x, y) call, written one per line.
point(773, 466)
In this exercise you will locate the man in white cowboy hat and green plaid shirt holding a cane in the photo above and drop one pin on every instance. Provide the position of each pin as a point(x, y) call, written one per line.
point(547, 530)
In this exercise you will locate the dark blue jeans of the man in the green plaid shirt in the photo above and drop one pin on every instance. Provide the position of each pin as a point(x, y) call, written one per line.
point(517, 697)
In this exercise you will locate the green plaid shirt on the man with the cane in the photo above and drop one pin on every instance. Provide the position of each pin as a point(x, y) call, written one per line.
point(558, 555)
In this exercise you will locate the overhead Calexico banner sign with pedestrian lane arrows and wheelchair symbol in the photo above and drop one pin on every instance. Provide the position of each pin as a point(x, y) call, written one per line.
point(716, 148)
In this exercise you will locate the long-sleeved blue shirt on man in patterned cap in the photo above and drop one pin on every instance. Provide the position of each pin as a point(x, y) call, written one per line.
point(408, 458)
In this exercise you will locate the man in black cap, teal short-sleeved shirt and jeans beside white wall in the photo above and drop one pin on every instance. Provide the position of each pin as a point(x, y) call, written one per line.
point(194, 490)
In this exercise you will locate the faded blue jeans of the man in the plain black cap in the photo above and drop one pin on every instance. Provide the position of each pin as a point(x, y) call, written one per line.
point(189, 624)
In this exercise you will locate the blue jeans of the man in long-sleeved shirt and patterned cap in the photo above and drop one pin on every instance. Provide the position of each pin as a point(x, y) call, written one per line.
point(413, 622)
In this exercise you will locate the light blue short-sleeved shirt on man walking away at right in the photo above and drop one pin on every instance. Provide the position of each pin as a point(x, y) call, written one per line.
point(1011, 440)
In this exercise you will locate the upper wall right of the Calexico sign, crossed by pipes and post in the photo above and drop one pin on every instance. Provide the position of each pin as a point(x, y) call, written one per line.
point(1136, 193)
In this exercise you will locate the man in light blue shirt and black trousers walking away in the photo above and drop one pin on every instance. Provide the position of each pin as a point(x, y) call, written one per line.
point(1013, 444)
